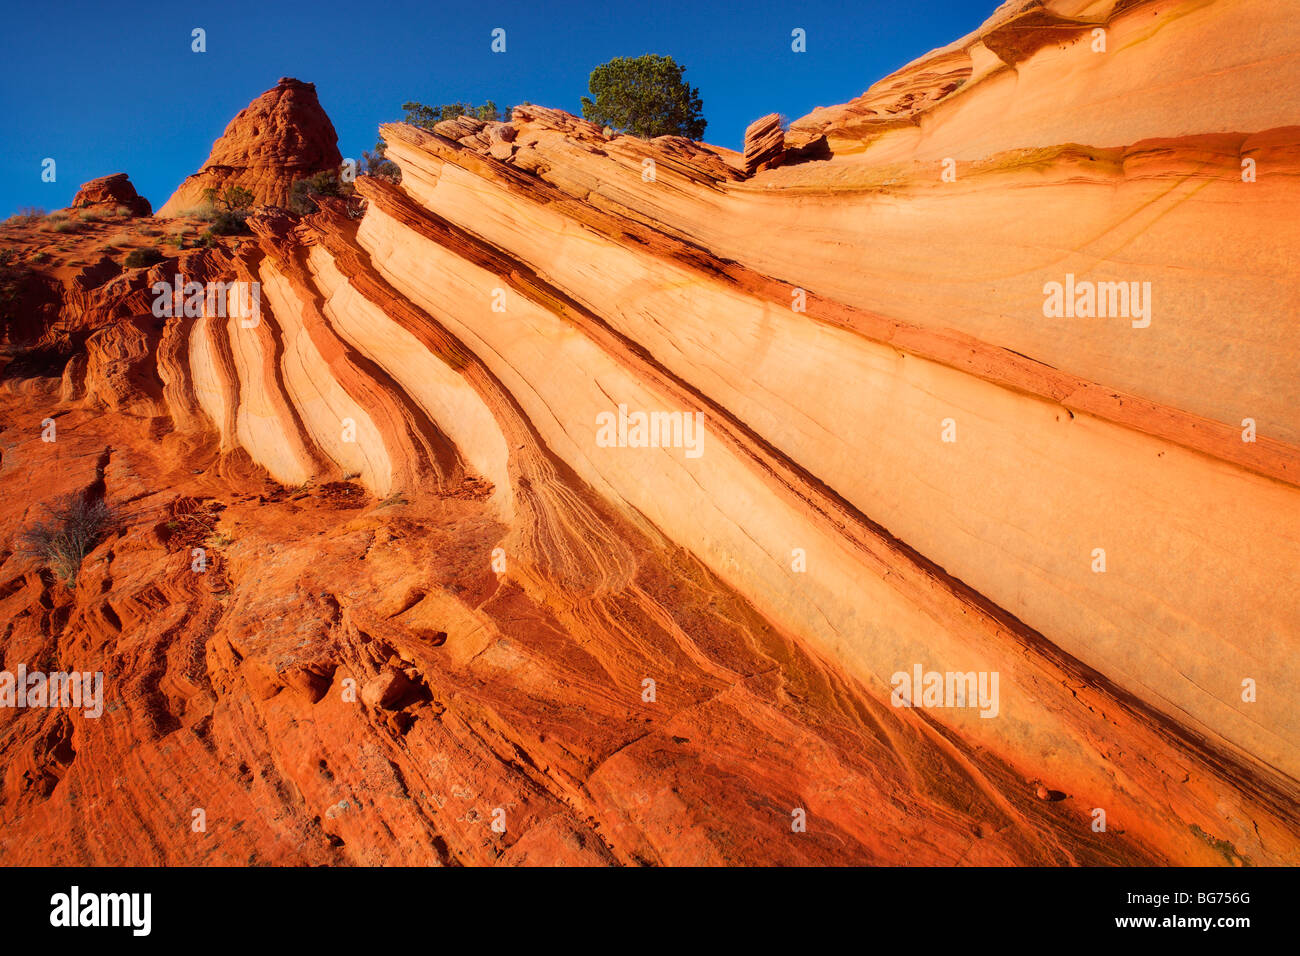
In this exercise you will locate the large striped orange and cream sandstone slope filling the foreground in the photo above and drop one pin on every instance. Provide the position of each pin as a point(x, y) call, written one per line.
point(448, 573)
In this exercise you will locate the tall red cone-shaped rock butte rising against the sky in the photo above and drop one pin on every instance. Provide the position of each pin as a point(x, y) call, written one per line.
point(280, 137)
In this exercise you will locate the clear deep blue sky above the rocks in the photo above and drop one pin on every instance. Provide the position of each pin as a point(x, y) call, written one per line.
point(107, 88)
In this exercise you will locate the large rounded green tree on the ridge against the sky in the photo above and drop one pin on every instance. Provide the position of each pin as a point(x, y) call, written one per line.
point(645, 97)
